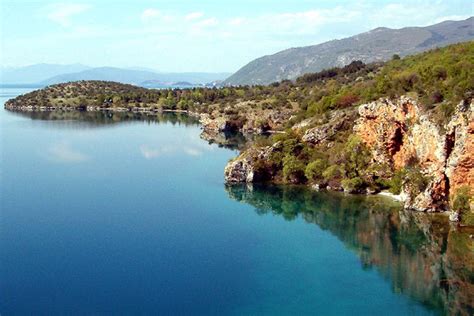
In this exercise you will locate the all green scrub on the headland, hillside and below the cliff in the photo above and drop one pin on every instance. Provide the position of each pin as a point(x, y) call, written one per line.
point(440, 78)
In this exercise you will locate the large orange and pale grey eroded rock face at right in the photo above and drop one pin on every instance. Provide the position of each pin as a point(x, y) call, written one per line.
point(400, 134)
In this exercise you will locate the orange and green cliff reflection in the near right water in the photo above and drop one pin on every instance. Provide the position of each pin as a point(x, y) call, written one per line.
point(420, 255)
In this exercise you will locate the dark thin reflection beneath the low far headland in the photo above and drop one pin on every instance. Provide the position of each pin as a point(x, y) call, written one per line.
point(103, 118)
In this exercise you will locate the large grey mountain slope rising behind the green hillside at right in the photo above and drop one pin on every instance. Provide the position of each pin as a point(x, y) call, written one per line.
point(376, 45)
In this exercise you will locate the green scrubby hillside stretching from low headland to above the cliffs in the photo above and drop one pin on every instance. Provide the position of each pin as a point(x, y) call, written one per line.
point(440, 78)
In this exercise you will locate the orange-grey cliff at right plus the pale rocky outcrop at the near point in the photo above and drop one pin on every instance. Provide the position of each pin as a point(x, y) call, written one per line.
point(399, 135)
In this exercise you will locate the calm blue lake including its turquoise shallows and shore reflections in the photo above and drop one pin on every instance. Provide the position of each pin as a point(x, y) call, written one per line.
point(106, 213)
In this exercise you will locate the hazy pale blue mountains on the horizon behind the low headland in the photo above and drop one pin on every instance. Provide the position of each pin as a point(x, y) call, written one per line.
point(46, 74)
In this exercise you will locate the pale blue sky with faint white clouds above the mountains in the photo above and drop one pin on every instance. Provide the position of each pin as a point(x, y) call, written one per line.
point(182, 36)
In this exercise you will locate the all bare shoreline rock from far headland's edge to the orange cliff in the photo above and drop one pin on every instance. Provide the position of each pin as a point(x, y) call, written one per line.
point(396, 131)
